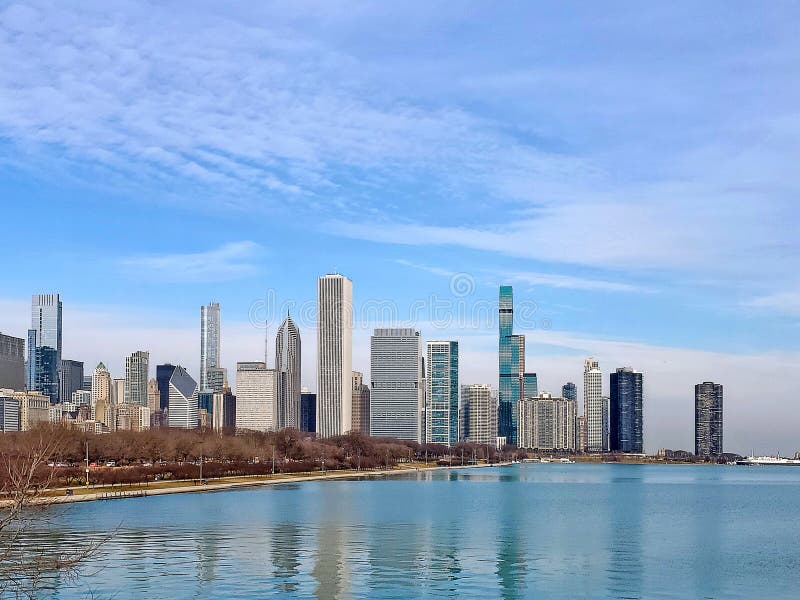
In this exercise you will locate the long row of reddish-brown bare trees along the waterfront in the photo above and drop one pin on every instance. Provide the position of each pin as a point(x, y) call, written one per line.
point(140, 457)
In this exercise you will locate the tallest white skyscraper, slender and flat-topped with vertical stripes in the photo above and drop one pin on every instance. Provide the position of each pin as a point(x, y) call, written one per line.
point(335, 355)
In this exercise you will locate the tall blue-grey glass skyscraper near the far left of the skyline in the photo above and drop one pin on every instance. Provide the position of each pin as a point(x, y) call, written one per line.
point(44, 344)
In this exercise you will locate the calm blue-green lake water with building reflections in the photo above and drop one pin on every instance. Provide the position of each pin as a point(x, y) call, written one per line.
point(523, 531)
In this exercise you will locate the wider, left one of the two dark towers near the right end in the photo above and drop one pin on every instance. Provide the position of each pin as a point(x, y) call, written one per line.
point(625, 412)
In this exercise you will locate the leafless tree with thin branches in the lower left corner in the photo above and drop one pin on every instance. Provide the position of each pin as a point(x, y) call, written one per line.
point(26, 506)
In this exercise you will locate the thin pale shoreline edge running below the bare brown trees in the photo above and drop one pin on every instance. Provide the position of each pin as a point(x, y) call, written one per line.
point(144, 492)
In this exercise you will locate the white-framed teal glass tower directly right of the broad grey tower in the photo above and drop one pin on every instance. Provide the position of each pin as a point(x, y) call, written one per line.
point(441, 397)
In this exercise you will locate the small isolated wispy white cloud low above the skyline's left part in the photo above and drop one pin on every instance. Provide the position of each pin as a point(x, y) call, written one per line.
point(235, 260)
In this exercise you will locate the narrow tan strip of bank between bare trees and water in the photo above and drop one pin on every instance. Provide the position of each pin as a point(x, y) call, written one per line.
point(84, 494)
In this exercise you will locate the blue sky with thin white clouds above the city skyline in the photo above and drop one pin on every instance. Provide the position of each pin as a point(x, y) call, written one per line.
point(630, 170)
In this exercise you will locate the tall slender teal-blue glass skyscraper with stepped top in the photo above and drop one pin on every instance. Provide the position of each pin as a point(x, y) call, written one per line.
point(512, 367)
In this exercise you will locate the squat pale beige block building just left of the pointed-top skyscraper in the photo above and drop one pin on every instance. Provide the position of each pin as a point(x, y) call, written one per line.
point(255, 396)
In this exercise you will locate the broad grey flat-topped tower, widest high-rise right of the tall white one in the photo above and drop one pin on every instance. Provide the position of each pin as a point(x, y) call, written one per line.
point(396, 393)
